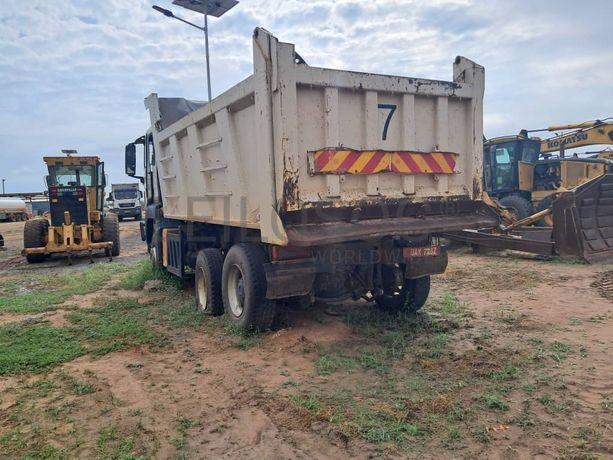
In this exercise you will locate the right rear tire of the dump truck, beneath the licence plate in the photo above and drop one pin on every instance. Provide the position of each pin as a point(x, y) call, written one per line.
point(408, 297)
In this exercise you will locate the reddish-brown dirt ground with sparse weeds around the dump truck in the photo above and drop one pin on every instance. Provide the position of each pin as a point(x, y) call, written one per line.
point(511, 358)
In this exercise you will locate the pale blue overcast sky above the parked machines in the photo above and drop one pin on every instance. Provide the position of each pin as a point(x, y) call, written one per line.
point(74, 73)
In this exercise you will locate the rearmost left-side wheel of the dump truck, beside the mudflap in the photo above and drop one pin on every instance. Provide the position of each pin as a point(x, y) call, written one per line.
point(244, 288)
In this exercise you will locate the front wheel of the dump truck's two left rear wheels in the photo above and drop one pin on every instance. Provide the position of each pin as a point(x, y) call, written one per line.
point(209, 266)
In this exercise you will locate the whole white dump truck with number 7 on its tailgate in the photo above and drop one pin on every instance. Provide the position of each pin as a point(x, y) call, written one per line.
point(311, 183)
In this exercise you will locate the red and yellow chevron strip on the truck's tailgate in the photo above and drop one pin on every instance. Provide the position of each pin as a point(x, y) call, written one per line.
point(348, 161)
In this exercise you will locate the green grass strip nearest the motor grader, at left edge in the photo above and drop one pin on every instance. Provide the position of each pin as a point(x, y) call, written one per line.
point(47, 293)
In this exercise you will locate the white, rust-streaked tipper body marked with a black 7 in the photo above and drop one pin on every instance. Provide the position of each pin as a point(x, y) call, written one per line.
point(291, 137)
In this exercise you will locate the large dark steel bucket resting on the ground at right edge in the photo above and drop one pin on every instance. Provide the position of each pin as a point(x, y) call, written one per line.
point(583, 221)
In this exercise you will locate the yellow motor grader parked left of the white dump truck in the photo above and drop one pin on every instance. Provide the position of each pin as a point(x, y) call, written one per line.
point(78, 223)
